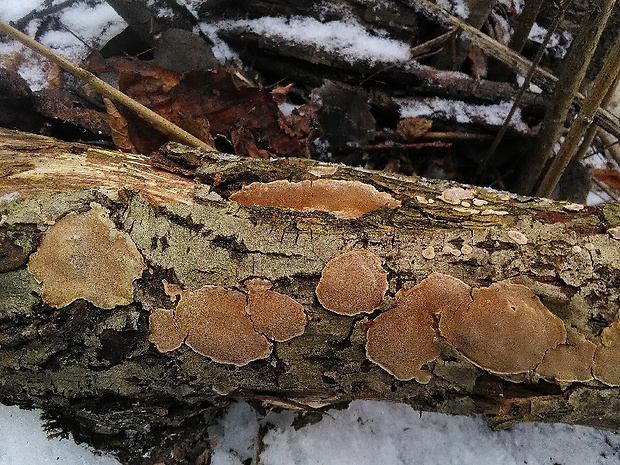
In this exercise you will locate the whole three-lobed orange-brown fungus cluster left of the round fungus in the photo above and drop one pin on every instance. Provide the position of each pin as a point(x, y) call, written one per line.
point(226, 325)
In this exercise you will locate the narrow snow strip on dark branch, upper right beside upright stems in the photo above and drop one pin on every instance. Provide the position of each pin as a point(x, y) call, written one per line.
point(461, 112)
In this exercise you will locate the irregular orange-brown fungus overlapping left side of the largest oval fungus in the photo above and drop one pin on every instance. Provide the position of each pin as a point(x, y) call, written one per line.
point(401, 340)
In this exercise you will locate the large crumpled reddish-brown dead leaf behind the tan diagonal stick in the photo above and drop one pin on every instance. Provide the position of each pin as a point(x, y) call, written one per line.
point(206, 104)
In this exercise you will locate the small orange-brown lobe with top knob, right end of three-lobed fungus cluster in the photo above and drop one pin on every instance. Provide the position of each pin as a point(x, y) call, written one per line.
point(274, 315)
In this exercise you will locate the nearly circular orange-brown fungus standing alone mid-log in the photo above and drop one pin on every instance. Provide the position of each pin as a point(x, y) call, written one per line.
point(352, 283)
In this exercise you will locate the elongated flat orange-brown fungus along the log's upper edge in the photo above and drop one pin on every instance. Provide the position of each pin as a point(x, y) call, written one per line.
point(344, 199)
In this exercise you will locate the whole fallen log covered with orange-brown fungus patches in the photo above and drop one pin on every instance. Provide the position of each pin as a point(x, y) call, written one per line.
point(135, 303)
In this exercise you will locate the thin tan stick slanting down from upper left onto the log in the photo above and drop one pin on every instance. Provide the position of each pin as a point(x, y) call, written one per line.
point(104, 88)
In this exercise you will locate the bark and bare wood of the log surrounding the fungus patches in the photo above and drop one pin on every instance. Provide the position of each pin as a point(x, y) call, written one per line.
point(97, 374)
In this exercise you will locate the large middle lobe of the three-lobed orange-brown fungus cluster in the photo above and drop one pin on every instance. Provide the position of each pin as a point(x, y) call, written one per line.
point(218, 327)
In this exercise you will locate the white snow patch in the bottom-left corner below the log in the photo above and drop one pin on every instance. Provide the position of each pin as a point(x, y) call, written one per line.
point(25, 442)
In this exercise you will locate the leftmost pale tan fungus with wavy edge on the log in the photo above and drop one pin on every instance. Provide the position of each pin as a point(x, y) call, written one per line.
point(83, 256)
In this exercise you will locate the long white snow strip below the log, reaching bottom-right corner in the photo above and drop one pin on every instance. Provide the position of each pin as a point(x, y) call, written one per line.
point(368, 433)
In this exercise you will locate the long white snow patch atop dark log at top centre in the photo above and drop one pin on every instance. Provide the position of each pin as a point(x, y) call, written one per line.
point(347, 39)
